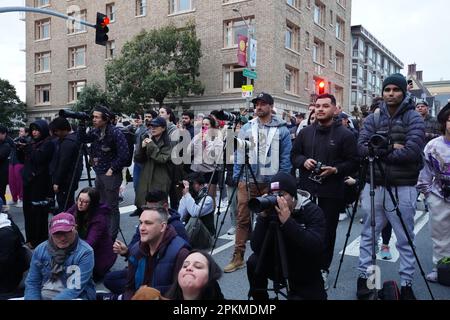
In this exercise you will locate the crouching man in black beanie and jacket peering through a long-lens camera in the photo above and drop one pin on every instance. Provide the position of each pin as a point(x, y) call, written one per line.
point(302, 225)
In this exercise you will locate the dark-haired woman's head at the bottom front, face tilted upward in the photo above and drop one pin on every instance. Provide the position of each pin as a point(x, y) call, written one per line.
point(197, 279)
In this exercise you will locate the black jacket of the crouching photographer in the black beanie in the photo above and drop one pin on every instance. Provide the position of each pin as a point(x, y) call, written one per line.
point(304, 239)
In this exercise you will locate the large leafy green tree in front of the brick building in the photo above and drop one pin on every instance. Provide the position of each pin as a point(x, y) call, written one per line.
point(155, 65)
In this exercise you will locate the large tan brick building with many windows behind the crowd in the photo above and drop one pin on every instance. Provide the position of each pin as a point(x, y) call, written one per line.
point(300, 43)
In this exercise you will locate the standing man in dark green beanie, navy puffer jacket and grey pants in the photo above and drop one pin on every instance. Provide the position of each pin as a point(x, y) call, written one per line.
point(402, 161)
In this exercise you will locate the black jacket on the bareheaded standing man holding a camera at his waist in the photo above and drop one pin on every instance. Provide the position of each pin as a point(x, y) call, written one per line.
point(334, 146)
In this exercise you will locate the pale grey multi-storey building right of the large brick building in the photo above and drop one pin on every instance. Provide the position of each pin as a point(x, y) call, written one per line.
point(372, 62)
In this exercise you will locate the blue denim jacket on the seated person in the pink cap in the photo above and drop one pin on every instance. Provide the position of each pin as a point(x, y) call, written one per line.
point(77, 277)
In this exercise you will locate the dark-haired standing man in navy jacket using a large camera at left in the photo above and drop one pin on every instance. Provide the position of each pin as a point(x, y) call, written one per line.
point(109, 155)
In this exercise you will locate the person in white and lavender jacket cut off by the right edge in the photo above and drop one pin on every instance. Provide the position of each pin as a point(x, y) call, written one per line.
point(434, 183)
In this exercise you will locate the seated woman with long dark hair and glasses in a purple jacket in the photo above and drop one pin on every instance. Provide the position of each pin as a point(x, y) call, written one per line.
point(92, 219)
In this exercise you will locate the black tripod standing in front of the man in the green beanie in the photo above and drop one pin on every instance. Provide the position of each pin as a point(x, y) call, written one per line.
point(372, 160)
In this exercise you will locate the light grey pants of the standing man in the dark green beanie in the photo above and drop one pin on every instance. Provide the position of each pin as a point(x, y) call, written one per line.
point(383, 213)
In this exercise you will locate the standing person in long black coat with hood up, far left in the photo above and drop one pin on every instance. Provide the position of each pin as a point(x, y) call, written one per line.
point(37, 182)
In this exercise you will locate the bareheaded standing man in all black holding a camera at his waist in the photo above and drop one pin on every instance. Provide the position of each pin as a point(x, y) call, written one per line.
point(325, 152)
